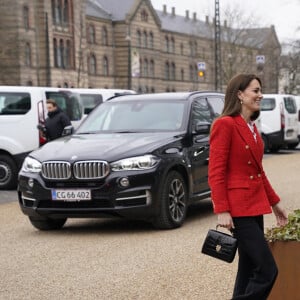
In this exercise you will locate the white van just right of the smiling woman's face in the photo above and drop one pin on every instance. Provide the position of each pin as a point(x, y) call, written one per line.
point(279, 121)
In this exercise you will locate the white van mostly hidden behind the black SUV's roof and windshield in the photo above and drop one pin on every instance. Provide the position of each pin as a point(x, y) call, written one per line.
point(92, 97)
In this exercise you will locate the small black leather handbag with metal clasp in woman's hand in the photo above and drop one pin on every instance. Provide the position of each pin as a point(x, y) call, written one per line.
point(220, 245)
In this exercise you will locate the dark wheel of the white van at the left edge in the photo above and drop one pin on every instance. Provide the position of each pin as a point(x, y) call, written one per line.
point(8, 173)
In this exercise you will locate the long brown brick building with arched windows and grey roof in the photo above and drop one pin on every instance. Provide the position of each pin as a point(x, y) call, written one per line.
point(125, 44)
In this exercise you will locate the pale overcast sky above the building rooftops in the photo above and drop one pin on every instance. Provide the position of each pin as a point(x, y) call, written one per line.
point(283, 14)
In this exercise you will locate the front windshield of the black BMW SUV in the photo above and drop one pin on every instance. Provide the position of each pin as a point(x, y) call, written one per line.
point(135, 116)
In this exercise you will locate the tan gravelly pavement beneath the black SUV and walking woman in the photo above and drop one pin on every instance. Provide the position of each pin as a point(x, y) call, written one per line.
point(118, 259)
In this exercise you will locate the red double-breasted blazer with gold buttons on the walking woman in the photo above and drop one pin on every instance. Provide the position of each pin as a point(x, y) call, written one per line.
point(236, 177)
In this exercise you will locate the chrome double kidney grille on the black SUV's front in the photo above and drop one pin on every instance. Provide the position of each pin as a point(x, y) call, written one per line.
point(81, 170)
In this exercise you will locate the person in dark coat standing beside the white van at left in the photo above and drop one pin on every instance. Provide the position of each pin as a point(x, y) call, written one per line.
point(56, 121)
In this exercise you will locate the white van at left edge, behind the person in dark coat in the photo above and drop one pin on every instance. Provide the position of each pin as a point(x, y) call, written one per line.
point(22, 108)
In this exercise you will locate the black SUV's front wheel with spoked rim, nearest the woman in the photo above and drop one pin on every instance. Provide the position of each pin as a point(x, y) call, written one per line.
point(173, 202)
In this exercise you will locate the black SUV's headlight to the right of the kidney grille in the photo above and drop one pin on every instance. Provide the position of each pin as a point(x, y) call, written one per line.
point(135, 163)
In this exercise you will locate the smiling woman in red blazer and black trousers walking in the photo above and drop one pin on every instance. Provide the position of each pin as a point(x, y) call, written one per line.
point(241, 192)
